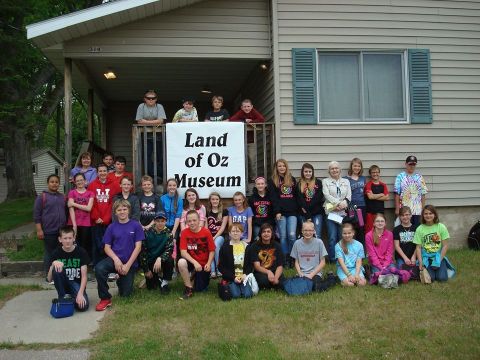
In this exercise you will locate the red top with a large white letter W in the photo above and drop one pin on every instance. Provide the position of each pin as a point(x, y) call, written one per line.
point(103, 200)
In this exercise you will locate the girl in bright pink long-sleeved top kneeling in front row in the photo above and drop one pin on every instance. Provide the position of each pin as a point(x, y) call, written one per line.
point(379, 245)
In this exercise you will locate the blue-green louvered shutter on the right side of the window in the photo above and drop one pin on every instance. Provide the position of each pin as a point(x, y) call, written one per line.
point(420, 86)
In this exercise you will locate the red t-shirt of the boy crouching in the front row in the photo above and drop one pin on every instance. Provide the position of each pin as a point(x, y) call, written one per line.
point(198, 245)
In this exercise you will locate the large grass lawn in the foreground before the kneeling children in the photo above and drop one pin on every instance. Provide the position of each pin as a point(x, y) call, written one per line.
point(439, 321)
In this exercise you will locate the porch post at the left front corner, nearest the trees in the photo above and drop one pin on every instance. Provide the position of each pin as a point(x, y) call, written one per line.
point(68, 118)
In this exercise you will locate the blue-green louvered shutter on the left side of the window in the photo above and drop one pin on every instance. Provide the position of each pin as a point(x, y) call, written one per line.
point(304, 86)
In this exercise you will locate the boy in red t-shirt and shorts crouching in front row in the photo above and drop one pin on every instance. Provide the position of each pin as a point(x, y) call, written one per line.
point(197, 250)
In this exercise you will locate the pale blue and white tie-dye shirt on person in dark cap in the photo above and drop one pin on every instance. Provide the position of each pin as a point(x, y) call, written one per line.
point(411, 188)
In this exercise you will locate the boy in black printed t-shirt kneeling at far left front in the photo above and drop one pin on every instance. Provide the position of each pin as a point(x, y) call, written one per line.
point(68, 269)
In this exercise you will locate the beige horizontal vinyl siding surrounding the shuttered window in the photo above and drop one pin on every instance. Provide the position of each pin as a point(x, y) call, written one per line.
point(448, 150)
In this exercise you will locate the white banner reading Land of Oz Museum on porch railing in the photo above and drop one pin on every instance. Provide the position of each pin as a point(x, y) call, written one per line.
point(207, 156)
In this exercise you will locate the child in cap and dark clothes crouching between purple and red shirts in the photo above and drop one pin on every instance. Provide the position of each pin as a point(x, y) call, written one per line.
point(156, 256)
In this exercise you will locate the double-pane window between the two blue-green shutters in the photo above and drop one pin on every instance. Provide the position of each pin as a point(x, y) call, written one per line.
point(362, 86)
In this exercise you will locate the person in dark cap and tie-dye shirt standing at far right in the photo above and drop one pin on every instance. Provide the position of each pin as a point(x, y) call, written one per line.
point(410, 190)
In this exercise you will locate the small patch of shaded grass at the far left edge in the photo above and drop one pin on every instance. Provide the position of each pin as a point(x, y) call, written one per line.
point(15, 213)
